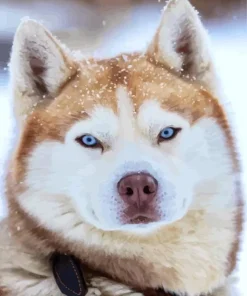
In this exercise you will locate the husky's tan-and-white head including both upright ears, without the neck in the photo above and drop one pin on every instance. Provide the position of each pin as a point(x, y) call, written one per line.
point(127, 145)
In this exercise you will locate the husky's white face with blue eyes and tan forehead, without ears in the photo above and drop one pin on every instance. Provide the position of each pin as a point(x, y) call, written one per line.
point(128, 166)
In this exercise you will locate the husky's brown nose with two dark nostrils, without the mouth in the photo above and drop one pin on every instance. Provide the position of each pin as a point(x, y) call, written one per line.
point(138, 189)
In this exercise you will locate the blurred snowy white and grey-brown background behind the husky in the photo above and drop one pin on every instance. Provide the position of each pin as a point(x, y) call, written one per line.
point(106, 27)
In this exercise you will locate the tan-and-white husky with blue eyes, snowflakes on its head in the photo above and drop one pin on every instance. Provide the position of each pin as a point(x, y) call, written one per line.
point(128, 164)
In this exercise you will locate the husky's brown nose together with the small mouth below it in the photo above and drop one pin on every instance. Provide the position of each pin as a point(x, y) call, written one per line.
point(138, 191)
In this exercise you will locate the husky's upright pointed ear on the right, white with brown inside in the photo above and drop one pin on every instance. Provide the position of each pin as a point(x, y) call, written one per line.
point(181, 43)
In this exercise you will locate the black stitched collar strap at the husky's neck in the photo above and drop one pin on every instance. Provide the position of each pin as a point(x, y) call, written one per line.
point(68, 275)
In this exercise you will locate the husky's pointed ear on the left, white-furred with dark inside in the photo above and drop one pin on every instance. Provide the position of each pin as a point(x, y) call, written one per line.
point(39, 66)
